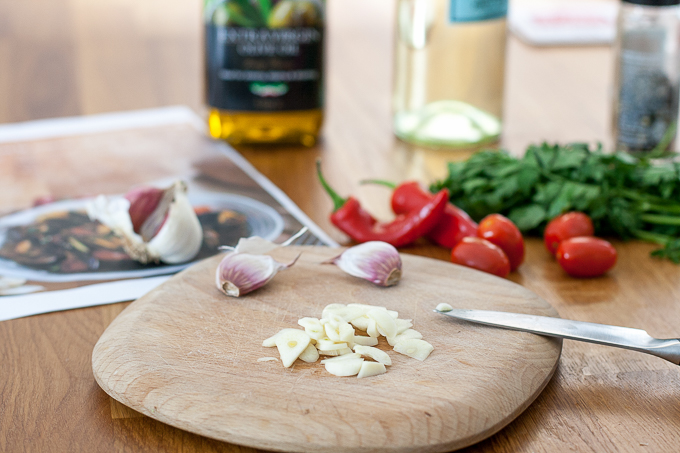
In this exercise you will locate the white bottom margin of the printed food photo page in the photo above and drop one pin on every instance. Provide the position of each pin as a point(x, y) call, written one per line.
point(12, 307)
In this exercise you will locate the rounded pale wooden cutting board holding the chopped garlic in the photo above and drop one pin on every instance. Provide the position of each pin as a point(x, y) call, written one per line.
point(187, 355)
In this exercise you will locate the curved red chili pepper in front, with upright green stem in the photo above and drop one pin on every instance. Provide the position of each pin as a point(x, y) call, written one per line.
point(357, 223)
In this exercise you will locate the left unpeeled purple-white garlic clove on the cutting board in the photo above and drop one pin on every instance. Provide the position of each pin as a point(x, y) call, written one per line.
point(240, 273)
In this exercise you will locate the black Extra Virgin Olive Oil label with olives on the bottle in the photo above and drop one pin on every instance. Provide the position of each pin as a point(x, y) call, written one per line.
point(264, 59)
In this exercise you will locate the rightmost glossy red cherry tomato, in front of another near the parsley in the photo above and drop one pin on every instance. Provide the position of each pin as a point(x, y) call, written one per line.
point(586, 256)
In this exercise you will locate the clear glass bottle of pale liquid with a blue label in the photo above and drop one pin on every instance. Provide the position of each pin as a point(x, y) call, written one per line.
point(449, 72)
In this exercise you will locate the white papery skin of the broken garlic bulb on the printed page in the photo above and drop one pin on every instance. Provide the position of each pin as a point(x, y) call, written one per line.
point(177, 241)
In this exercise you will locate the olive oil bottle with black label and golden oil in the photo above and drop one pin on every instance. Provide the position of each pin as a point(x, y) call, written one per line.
point(264, 70)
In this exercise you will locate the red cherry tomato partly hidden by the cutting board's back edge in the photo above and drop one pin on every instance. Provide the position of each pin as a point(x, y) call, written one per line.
point(482, 255)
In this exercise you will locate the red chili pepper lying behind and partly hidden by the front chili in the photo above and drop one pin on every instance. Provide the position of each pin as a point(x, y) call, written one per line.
point(454, 223)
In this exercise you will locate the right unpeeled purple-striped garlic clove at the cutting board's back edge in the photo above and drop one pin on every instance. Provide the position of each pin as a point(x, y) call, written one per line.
point(375, 261)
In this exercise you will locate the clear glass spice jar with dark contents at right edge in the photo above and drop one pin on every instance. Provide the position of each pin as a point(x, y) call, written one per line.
point(647, 76)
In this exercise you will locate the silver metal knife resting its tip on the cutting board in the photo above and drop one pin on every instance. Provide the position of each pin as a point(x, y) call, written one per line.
point(619, 337)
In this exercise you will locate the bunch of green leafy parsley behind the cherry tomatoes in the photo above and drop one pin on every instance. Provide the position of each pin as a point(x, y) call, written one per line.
point(626, 196)
